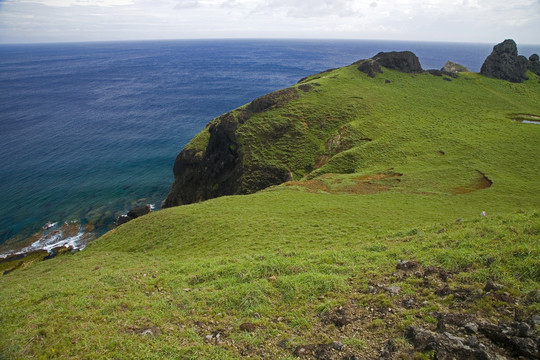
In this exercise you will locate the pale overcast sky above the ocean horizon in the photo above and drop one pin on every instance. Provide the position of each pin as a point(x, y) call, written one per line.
point(487, 21)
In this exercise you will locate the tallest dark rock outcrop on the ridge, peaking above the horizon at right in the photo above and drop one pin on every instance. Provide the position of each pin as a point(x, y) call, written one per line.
point(504, 63)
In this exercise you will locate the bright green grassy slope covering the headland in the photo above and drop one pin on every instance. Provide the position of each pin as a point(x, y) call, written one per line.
point(281, 257)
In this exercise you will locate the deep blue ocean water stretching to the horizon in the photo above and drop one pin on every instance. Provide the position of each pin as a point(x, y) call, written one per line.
point(91, 130)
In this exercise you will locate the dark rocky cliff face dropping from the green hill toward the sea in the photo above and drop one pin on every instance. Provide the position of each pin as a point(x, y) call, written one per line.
point(219, 169)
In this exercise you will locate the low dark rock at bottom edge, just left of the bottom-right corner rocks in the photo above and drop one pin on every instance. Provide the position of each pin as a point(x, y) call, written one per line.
point(446, 346)
